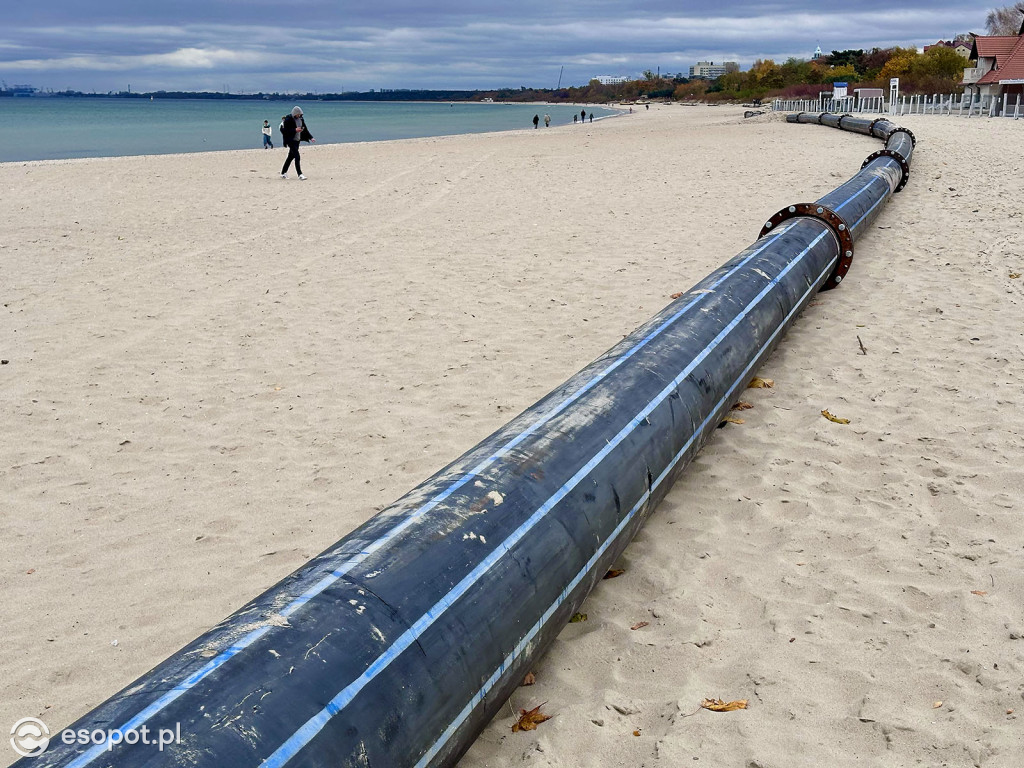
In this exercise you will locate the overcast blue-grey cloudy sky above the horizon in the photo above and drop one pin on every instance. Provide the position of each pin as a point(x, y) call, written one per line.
point(335, 46)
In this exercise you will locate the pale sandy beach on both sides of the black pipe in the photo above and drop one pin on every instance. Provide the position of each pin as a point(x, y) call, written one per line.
point(211, 375)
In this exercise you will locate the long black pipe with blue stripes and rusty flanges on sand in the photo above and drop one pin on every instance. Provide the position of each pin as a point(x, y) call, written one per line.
point(397, 646)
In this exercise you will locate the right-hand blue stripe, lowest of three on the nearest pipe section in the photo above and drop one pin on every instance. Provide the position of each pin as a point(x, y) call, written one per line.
point(529, 637)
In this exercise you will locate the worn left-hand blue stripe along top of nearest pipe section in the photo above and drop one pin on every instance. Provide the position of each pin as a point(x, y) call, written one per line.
point(89, 756)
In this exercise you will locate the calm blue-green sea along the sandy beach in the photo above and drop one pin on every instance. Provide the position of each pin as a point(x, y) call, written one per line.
point(56, 129)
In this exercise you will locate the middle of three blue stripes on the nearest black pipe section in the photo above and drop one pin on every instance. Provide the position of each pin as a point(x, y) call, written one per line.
point(316, 724)
